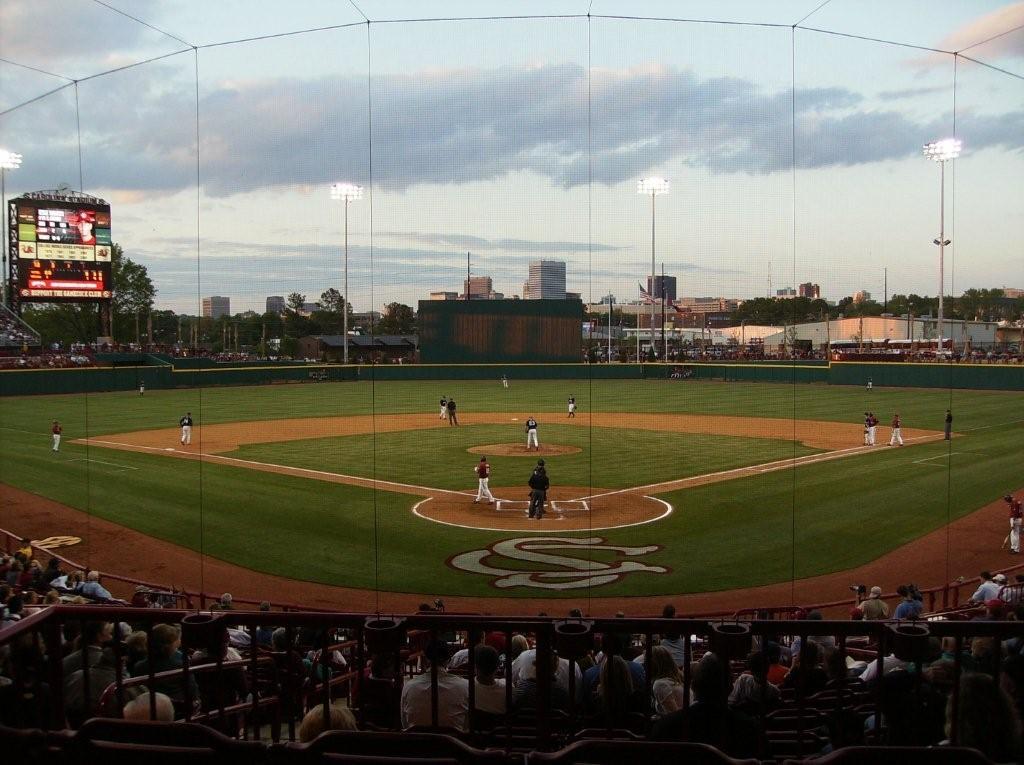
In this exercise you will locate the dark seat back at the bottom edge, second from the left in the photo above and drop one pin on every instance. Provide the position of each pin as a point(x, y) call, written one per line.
point(385, 747)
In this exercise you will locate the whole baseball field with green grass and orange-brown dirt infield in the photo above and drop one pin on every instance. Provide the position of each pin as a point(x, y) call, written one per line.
point(660, 487)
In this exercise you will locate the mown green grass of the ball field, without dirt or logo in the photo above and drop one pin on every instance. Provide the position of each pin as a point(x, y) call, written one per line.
point(819, 519)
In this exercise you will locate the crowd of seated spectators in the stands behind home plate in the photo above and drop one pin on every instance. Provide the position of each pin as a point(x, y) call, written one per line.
point(620, 682)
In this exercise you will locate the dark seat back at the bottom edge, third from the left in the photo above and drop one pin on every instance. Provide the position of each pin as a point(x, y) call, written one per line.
point(650, 753)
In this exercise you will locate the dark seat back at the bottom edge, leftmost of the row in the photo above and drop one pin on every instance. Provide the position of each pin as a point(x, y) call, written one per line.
point(116, 742)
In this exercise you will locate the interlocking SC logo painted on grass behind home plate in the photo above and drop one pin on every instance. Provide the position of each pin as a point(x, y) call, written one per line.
point(556, 572)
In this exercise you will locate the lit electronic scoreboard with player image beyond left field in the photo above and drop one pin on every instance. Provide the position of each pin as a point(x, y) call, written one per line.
point(60, 248)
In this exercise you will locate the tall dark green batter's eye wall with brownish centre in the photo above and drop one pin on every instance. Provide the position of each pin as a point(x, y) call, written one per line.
point(500, 331)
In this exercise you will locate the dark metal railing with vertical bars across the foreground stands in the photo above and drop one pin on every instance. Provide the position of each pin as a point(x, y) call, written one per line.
point(363, 637)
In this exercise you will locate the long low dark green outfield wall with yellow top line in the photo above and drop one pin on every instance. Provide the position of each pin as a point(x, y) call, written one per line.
point(199, 373)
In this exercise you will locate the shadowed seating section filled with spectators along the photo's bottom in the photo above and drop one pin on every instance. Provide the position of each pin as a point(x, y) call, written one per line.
point(246, 681)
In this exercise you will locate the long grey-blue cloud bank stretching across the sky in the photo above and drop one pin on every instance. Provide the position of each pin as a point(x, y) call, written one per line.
point(472, 125)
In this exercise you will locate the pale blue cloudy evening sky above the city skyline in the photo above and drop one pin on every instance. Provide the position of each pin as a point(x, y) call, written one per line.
point(794, 154)
